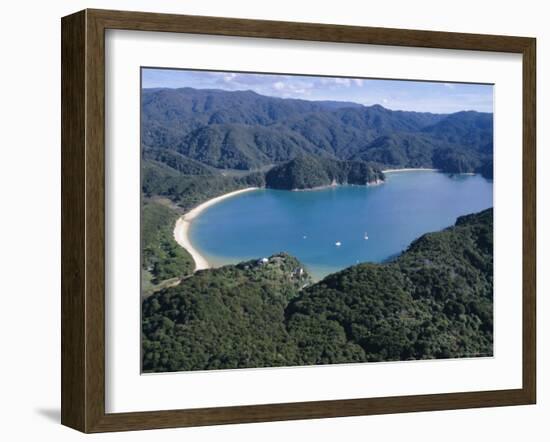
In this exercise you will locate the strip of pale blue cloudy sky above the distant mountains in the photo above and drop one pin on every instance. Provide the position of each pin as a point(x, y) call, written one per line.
point(419, 96)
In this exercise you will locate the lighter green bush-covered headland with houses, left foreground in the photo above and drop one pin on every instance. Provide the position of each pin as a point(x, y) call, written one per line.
point(229, 317)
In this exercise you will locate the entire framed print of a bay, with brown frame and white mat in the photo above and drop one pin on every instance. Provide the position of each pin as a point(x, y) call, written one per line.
point(269, 220)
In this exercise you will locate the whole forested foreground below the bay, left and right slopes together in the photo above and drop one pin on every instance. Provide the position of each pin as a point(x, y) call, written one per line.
point(434, 301)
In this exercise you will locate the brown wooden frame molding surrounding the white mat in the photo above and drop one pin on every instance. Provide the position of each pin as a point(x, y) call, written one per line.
point(83, 216)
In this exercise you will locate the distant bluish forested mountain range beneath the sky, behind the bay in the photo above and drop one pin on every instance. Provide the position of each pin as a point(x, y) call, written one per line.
point(244, 130)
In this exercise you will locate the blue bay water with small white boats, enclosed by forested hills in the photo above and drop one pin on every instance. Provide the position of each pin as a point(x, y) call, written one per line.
point(308, 224)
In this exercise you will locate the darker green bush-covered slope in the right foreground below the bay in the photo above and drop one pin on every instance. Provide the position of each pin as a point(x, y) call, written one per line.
point(434, 301)
